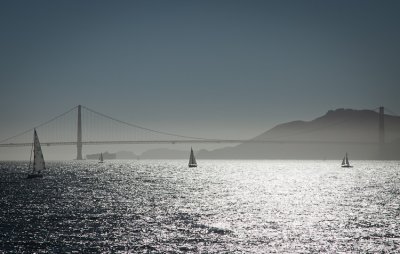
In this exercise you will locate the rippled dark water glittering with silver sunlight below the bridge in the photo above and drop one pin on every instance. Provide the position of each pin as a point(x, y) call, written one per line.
point(218, 207)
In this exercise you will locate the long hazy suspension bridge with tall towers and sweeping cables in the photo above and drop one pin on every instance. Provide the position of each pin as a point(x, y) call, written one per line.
point(77, 127)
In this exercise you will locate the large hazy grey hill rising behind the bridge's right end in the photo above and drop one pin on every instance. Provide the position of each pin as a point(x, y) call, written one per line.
point(326, 137)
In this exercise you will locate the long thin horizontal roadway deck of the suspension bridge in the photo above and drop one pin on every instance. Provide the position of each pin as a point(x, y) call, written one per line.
point(193, 141)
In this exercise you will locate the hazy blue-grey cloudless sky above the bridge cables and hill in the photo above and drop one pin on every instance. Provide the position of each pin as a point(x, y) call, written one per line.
point(225, 69)
